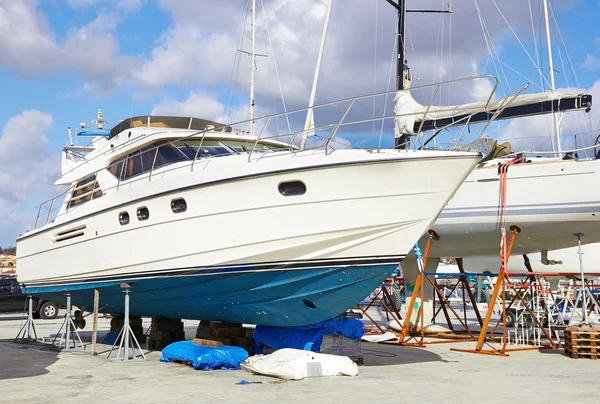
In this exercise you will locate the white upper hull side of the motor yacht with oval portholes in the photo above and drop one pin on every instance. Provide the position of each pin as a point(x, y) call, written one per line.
point(357, 204)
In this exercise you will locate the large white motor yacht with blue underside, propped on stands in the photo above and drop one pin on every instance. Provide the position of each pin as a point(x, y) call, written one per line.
point(204, 221)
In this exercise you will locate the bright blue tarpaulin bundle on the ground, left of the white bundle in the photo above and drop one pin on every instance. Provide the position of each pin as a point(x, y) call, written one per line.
point(204, 357)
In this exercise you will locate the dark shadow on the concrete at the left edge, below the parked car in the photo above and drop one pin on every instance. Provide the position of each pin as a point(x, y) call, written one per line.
point(25, 360)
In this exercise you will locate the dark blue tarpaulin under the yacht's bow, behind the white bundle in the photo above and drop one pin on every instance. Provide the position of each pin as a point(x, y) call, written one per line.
point(303, 336)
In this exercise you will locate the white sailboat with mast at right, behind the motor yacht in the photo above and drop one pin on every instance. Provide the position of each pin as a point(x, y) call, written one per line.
point(551, 199)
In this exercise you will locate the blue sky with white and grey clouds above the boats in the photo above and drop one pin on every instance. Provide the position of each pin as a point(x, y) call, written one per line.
point(62, 60)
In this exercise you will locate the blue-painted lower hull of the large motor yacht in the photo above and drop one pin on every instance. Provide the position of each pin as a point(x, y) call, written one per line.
point(277, 297)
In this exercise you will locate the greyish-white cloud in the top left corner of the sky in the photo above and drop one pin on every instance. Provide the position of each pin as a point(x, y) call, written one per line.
point(28, 46)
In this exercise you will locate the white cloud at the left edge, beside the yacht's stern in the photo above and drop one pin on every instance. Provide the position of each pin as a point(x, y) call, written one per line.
point(27, 172)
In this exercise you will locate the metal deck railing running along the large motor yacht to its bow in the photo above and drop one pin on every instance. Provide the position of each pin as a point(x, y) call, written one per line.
point(285, 140)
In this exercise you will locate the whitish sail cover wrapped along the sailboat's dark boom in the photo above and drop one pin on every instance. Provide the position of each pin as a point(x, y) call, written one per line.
point(412, 117)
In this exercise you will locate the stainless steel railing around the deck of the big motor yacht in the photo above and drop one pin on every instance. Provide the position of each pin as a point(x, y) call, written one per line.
point(348, 107)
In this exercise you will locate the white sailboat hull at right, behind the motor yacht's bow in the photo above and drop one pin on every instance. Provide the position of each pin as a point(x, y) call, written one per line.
point(549, 200)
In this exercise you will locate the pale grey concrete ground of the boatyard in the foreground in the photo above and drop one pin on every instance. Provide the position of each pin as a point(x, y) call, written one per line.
point(31, 373)
